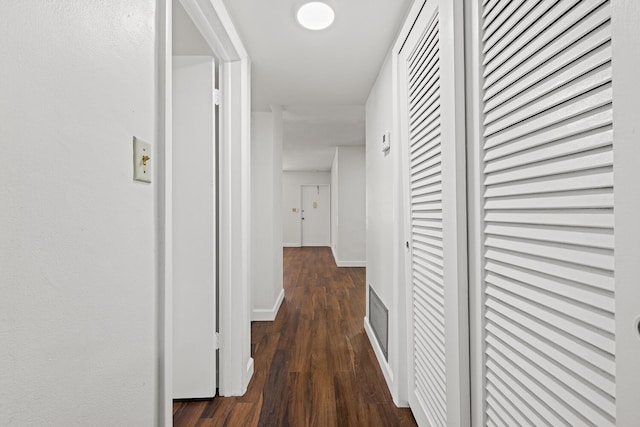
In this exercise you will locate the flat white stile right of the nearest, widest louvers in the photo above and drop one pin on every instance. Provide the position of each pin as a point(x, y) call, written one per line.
point(626, 153)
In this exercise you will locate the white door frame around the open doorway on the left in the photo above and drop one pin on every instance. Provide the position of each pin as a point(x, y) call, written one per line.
point(235, 365)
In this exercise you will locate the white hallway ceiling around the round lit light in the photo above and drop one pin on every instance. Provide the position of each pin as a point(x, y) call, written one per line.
point(320, 78)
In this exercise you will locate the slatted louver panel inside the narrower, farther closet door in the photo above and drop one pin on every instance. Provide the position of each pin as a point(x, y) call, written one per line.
point(426, 224)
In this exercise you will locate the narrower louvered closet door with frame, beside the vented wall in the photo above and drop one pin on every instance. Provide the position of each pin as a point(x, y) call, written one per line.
point(432, 134)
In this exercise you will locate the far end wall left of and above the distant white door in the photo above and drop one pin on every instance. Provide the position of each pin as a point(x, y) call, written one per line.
point(291, 182)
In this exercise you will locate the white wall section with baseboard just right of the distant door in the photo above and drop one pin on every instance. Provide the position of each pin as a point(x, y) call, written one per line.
point(348, 176)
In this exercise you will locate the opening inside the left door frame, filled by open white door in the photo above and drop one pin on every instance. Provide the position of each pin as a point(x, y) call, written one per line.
point(194, 211)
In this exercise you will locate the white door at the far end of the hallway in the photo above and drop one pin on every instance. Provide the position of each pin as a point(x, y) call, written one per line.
point(315, 215)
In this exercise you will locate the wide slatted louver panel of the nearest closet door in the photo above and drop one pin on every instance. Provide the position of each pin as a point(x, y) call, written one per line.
point(546, 219)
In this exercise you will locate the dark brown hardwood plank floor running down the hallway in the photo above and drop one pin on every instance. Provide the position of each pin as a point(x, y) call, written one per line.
point(314, 365)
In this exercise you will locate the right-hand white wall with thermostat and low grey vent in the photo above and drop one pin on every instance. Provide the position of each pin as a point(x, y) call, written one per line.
point(385, 251)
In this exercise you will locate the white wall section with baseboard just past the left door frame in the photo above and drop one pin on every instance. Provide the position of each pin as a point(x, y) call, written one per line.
point(266, 194)
